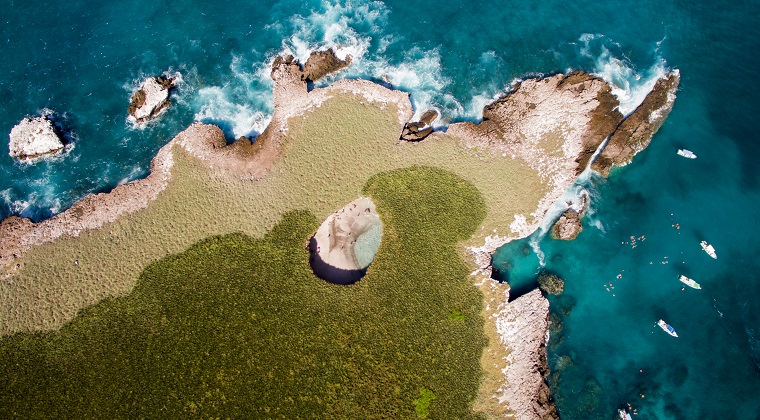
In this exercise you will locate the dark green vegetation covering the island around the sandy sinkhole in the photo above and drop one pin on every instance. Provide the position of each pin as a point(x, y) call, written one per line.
point(237, 327)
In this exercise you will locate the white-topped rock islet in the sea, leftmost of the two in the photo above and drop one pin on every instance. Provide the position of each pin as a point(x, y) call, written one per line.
point(33, 138)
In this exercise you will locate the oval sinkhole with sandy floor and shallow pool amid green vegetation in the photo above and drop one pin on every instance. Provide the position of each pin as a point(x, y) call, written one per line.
point(346, 243)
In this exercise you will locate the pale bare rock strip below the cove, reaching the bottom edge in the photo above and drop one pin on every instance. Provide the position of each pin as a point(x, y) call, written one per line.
point(522, 326)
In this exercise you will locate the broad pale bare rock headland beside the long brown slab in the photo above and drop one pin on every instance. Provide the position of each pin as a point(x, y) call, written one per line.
point(553, 124)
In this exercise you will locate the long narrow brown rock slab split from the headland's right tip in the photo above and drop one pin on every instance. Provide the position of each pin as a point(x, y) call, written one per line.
point(636, 131)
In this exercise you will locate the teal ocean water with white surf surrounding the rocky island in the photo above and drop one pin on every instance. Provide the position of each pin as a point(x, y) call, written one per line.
point(81, 59)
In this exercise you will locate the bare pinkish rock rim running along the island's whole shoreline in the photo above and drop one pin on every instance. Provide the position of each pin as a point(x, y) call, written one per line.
point(555, 124)
